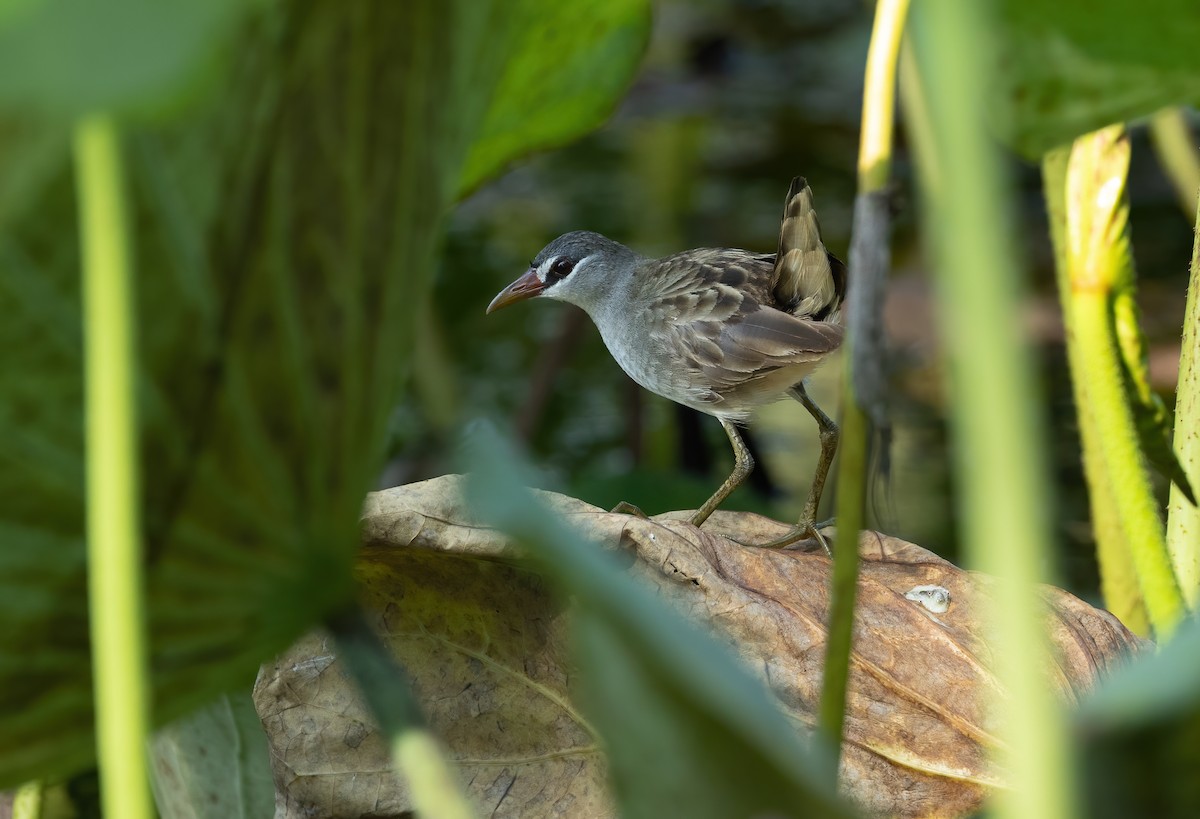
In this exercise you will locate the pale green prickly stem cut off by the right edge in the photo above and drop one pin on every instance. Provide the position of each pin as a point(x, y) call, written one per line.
point(1184, 519)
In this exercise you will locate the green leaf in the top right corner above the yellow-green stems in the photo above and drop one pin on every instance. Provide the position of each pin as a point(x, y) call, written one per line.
point(1067, 69)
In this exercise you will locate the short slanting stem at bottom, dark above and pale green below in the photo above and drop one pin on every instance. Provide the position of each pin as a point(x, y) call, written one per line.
point(415, 750)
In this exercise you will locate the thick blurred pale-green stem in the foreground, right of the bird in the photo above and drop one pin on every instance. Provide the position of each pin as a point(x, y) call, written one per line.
point(999, 443)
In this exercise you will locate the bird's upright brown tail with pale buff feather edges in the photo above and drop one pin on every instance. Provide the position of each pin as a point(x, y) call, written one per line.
point(808, 282)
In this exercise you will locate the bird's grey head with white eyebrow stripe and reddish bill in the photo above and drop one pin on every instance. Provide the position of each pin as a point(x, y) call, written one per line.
point(581, 268)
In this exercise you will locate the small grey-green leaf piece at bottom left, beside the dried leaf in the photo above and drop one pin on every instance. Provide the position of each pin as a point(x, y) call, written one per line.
point(214, 764)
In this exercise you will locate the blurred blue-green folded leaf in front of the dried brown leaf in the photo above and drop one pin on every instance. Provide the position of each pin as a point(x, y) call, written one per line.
point(687, 731)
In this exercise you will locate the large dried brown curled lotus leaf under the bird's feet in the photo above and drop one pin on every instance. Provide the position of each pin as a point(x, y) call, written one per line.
point(483, 639)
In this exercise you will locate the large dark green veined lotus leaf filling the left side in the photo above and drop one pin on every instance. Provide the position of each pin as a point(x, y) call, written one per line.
point(285, 240)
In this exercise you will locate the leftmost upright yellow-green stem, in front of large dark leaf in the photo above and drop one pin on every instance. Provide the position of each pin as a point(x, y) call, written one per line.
point(116, 585)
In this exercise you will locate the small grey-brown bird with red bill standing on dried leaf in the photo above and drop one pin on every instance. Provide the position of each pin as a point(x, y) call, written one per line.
point(717, 330)
